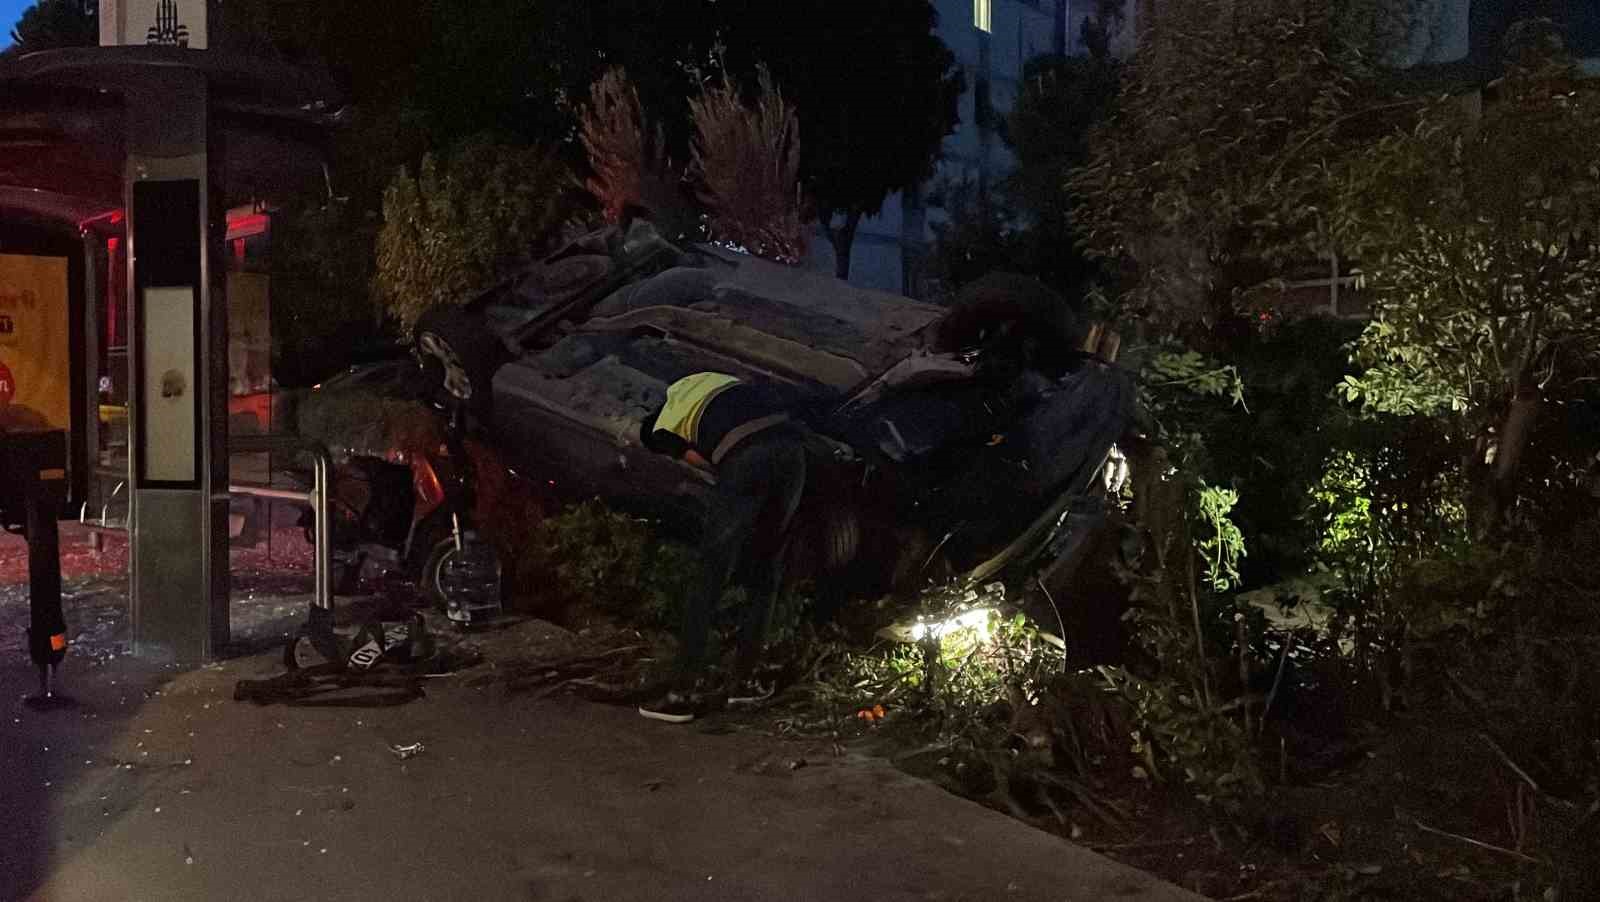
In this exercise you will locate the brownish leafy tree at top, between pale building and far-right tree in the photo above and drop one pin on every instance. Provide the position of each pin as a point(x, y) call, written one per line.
point(1217, 167)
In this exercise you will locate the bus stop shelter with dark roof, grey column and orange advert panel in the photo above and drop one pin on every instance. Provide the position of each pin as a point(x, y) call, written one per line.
point(132, 185)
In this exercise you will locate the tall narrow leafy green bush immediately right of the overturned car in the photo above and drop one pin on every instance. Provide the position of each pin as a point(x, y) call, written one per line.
point(1183, 623)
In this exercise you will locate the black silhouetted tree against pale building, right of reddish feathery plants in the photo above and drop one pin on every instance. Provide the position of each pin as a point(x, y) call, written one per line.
point(876, 89)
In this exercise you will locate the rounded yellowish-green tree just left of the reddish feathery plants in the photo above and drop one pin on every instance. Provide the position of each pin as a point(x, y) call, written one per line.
point(462, 225)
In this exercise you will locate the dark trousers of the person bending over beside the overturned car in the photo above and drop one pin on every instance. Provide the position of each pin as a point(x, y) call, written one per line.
point(746, 533)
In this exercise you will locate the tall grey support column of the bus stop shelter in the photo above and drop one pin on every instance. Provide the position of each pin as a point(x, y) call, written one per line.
point(178, 353)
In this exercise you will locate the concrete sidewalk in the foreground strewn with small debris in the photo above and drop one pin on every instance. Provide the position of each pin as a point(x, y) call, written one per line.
point(191, 796)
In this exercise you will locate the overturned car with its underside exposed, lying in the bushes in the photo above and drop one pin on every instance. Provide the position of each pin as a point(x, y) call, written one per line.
point(948, 442)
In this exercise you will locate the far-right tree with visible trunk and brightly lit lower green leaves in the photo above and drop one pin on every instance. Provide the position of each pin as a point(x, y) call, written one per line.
point(1484, 253)
